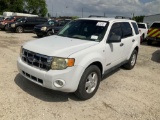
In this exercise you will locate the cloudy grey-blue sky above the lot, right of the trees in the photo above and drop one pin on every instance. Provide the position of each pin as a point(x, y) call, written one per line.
point(110, 8)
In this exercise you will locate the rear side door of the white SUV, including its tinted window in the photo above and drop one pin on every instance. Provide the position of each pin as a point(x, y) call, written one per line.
point(127, 38)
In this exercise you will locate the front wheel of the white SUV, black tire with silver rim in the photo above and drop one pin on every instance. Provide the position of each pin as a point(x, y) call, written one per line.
point(89, 83)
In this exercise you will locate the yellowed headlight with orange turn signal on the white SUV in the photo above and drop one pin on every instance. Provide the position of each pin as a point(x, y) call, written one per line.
point(62, 63)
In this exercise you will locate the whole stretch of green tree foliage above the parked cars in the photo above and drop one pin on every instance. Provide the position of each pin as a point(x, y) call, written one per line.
point(27, 6)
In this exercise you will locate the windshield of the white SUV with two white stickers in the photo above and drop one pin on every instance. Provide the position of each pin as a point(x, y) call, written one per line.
point(85, 30)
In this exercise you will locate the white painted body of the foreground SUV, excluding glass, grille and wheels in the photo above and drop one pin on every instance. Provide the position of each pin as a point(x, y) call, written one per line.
point(84, 52)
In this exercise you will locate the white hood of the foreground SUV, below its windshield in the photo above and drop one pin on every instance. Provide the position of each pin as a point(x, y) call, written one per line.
point(58, 46)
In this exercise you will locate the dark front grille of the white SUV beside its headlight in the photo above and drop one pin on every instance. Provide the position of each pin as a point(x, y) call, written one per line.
point(36, 60)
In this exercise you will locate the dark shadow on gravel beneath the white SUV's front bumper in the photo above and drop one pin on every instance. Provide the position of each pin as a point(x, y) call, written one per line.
point(42, 93)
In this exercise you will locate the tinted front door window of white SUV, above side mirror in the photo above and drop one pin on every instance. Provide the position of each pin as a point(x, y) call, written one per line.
point(115, 30)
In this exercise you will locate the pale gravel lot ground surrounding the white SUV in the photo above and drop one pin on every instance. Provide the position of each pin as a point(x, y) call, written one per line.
point(122, 95)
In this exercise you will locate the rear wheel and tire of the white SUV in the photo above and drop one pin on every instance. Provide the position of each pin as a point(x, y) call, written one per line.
point(132, 61)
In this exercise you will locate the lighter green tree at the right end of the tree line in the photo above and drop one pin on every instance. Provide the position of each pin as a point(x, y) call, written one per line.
point(35, 7)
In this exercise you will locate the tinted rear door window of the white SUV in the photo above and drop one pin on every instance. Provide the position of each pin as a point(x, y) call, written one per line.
point(127, 30)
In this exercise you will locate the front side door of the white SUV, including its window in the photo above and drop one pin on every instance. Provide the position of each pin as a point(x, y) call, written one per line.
point(114, 50)
